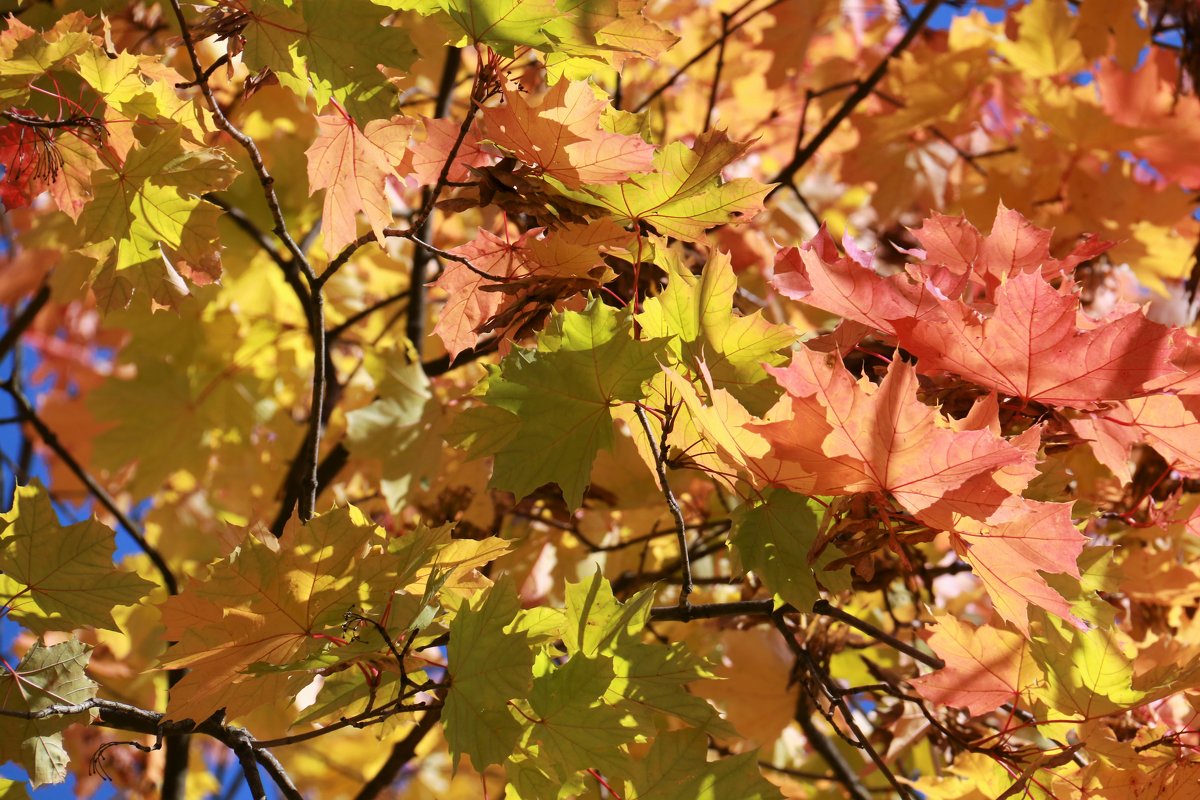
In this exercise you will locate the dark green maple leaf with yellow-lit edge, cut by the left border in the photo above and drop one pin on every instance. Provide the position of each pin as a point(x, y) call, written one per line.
point(58, 579)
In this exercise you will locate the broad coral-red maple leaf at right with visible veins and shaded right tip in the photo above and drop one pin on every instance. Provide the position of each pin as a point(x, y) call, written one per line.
point(1035, 347)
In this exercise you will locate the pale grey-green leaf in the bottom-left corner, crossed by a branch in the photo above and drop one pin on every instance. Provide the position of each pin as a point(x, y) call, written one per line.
point(47, 676)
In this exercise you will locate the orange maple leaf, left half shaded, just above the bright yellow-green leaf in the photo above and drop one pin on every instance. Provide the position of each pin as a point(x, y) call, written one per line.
point(562, 137)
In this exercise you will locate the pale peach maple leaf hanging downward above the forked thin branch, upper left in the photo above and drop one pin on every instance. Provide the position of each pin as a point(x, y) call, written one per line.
point(352, 166)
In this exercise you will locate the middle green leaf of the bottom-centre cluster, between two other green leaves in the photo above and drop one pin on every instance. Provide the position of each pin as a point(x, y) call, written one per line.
point(574, 729)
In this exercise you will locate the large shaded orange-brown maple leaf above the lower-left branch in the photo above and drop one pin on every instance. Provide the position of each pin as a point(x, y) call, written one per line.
point(277, 604)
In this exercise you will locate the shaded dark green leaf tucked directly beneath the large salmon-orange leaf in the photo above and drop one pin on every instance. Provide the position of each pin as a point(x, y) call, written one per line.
point(773, 539)
